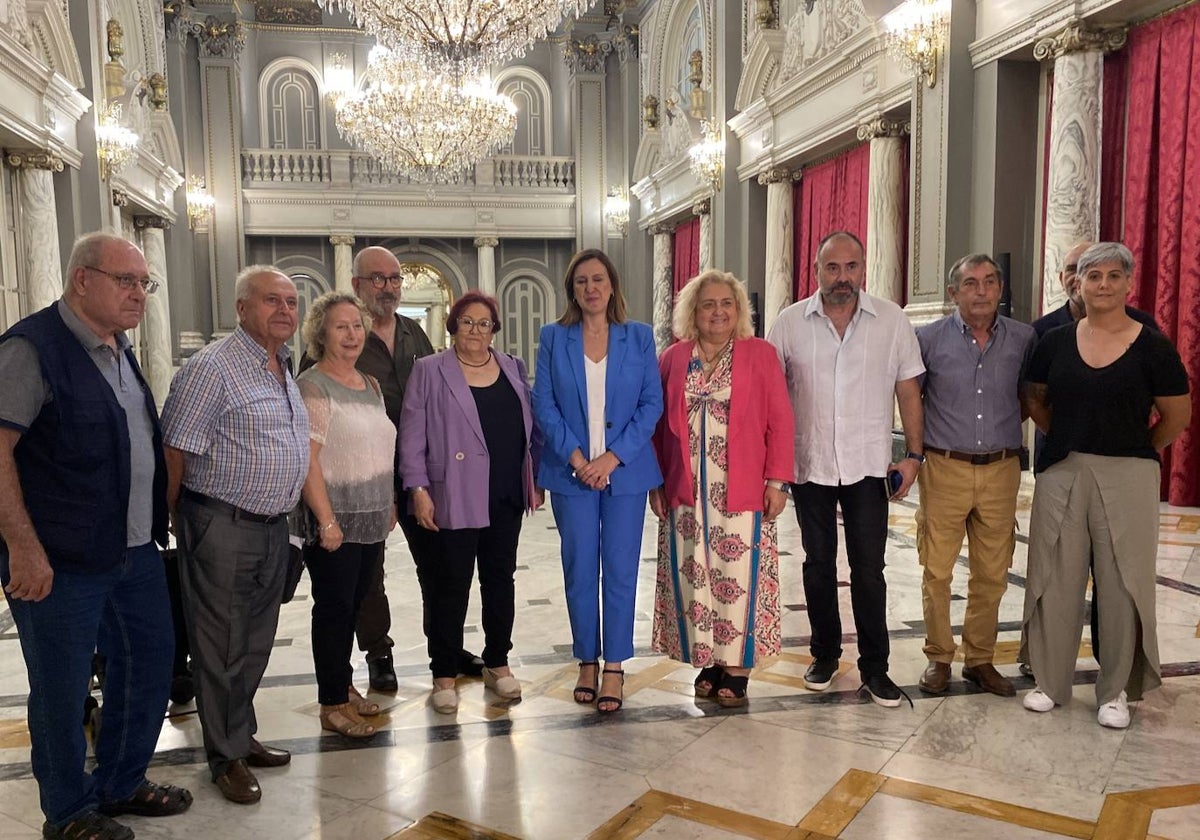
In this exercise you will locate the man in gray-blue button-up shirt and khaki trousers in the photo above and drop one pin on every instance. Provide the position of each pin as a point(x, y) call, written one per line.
point(969, 483)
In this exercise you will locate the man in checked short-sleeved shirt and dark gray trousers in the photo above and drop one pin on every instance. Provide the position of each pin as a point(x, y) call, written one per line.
point(237, 442)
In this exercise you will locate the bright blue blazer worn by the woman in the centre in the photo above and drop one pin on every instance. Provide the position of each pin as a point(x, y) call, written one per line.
point(633, 405)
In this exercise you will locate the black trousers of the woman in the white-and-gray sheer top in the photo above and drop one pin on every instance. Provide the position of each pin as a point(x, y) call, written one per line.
point(340, 583)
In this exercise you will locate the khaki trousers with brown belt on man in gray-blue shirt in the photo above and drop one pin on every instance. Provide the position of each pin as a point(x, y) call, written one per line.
point(961, 500)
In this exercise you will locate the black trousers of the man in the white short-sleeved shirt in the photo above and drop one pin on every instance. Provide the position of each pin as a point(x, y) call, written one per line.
point(865, 511)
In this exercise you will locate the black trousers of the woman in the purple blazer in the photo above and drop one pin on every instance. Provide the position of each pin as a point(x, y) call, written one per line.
point(447, 591)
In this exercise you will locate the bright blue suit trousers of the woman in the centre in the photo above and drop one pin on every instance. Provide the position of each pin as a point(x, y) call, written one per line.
point(602, 538)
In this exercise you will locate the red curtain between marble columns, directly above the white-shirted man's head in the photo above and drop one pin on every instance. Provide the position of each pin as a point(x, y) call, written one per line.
point(832, 196)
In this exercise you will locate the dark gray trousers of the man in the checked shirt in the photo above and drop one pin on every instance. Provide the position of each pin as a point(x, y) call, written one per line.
point(232, 580)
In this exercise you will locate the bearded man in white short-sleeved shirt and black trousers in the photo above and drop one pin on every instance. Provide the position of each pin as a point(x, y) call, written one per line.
point(845, 355)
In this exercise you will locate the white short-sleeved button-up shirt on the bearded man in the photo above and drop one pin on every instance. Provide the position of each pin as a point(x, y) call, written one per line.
point(843, 388)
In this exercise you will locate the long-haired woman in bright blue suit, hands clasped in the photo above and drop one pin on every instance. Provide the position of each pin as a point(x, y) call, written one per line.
point(597, 398)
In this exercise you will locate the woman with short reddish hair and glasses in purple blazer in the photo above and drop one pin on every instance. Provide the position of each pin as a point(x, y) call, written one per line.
point(469, 451)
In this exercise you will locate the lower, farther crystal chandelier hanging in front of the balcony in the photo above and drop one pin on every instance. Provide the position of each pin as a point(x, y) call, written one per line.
point(427, 128)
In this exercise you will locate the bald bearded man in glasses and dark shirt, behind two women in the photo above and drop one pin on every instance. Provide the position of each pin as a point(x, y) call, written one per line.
point(394, 345)
